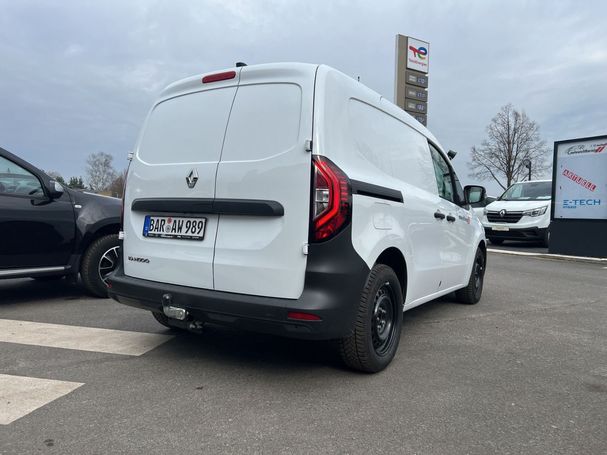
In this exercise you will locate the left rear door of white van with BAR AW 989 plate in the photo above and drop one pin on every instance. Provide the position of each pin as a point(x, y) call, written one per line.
point(171, 184)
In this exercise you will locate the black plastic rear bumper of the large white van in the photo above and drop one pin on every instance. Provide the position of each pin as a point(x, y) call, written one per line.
point(335, 276)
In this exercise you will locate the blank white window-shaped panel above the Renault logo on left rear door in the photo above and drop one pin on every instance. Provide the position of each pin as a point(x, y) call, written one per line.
point(187, 129)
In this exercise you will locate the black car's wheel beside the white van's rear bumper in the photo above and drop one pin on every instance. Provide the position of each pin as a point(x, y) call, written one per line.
point(100, 258)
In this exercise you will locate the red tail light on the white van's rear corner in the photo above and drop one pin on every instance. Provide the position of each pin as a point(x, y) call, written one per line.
point(331, 199)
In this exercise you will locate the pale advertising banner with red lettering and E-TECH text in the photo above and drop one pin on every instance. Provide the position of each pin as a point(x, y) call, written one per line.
point(580, 179)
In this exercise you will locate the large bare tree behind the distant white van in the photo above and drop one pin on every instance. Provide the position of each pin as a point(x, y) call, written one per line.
point(512, 139)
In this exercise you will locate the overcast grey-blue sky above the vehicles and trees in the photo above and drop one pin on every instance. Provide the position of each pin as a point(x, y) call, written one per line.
point(79, 76)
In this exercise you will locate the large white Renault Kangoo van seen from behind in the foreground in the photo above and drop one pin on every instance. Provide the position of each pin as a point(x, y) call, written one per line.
point(291, 199)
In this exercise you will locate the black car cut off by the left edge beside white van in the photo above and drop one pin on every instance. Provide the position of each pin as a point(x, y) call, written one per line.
point(48, 231)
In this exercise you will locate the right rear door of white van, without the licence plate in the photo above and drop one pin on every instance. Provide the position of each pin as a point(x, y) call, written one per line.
point(266, 168)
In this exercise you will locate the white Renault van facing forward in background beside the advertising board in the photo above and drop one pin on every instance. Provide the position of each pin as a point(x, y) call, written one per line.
point(521, 213)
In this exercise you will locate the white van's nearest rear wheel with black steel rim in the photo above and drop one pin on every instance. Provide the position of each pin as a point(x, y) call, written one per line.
point(373, 342)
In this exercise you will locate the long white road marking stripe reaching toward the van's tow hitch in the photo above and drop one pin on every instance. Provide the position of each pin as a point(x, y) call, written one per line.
point(80, 338)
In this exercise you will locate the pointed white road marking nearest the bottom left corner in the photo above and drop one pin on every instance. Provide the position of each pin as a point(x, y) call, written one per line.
point(20, 395)
